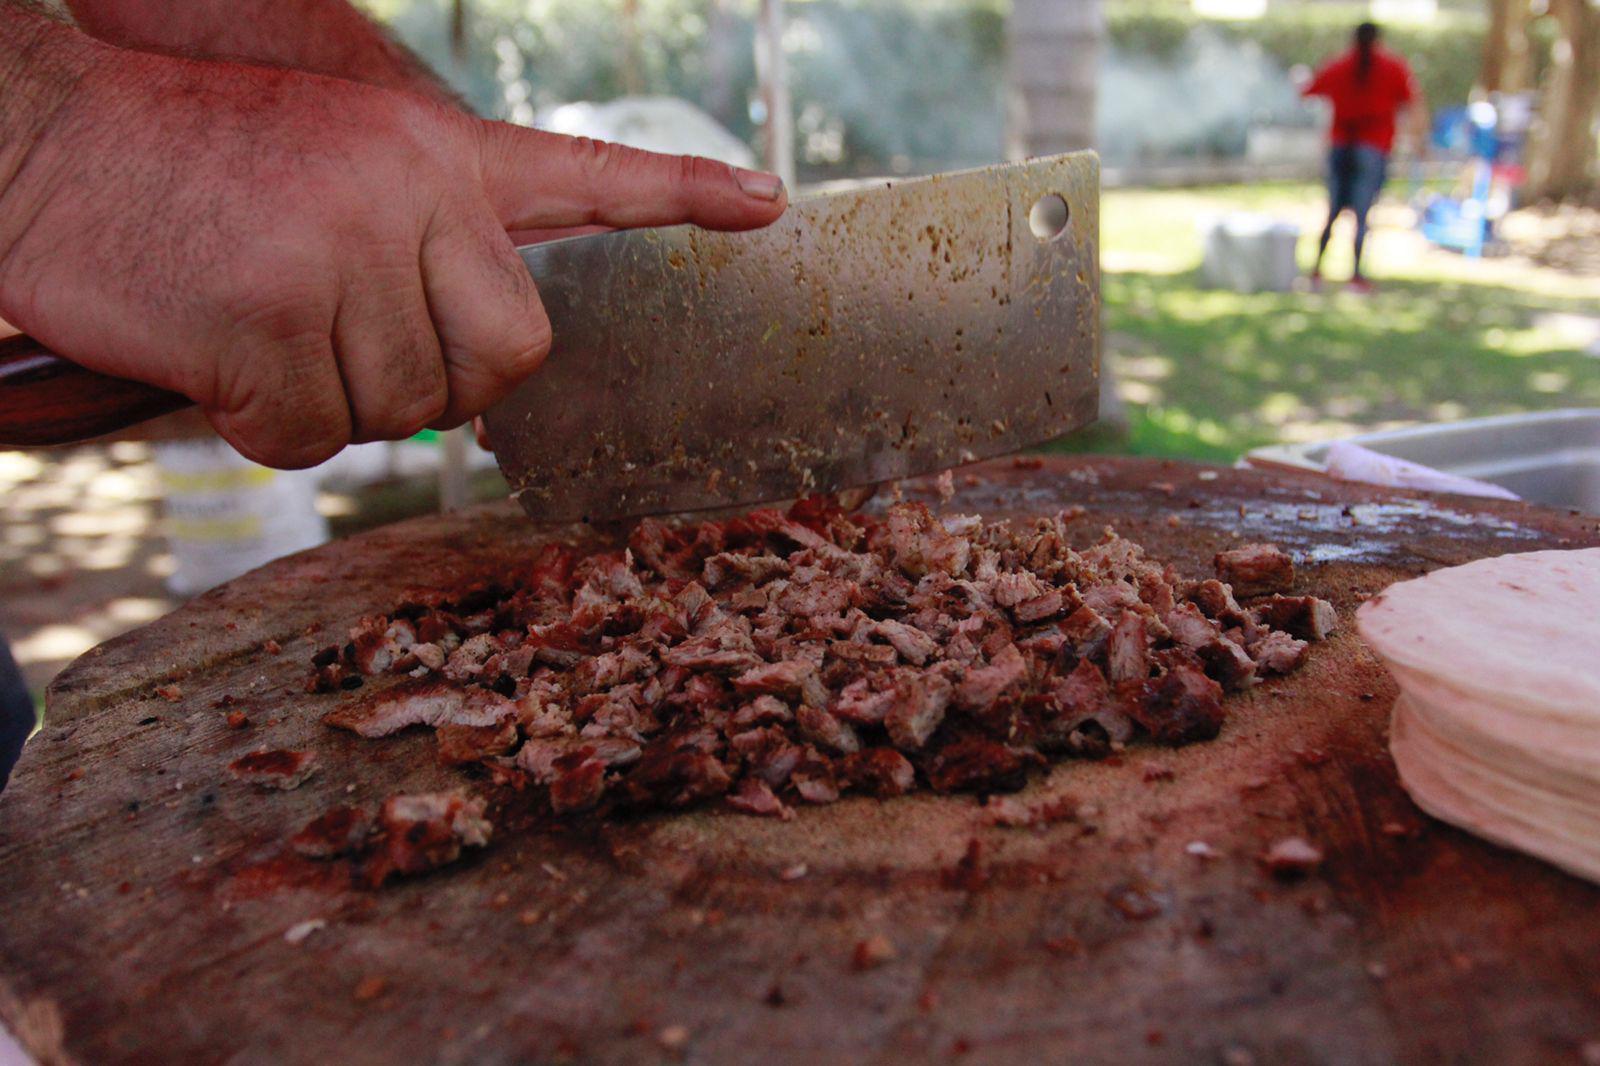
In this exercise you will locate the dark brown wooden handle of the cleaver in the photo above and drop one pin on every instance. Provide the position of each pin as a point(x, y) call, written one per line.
point(50, 401)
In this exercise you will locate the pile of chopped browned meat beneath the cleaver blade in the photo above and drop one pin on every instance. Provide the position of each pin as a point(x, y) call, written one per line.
point(780, 659)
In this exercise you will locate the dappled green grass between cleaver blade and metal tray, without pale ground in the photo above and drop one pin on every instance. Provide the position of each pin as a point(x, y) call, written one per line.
point(1273, 367)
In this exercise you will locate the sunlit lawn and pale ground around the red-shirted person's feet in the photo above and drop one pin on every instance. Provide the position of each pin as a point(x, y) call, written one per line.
point(1210, 375)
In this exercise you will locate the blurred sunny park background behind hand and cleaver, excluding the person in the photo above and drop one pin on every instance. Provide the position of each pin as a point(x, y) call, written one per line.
point(1486, 249)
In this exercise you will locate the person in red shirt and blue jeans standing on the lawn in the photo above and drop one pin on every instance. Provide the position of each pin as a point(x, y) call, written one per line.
point(1369, 87)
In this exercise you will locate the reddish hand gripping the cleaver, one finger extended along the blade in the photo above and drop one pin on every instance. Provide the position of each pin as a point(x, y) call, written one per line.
point(311, 260)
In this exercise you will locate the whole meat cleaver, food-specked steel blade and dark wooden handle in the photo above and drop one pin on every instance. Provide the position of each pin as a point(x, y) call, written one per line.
point(890, 331)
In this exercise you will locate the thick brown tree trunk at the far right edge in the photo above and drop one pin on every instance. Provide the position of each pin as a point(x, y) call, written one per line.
point(1564, 156)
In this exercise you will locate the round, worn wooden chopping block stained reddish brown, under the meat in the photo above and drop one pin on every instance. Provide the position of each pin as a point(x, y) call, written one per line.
point(148, 896)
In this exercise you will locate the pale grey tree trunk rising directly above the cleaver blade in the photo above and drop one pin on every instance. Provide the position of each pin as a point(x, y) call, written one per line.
point(1054, 58)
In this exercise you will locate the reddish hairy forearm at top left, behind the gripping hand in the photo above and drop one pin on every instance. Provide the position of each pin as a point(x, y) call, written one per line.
point(318, 36)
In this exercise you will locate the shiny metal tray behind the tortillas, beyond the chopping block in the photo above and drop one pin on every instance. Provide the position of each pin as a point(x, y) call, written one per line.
point(1550, 459)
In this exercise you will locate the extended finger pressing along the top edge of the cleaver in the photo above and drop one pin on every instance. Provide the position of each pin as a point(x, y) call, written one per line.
point(538, 180)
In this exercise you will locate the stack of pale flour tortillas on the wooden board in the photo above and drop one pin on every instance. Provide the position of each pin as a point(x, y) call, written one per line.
point(1497, 727)
